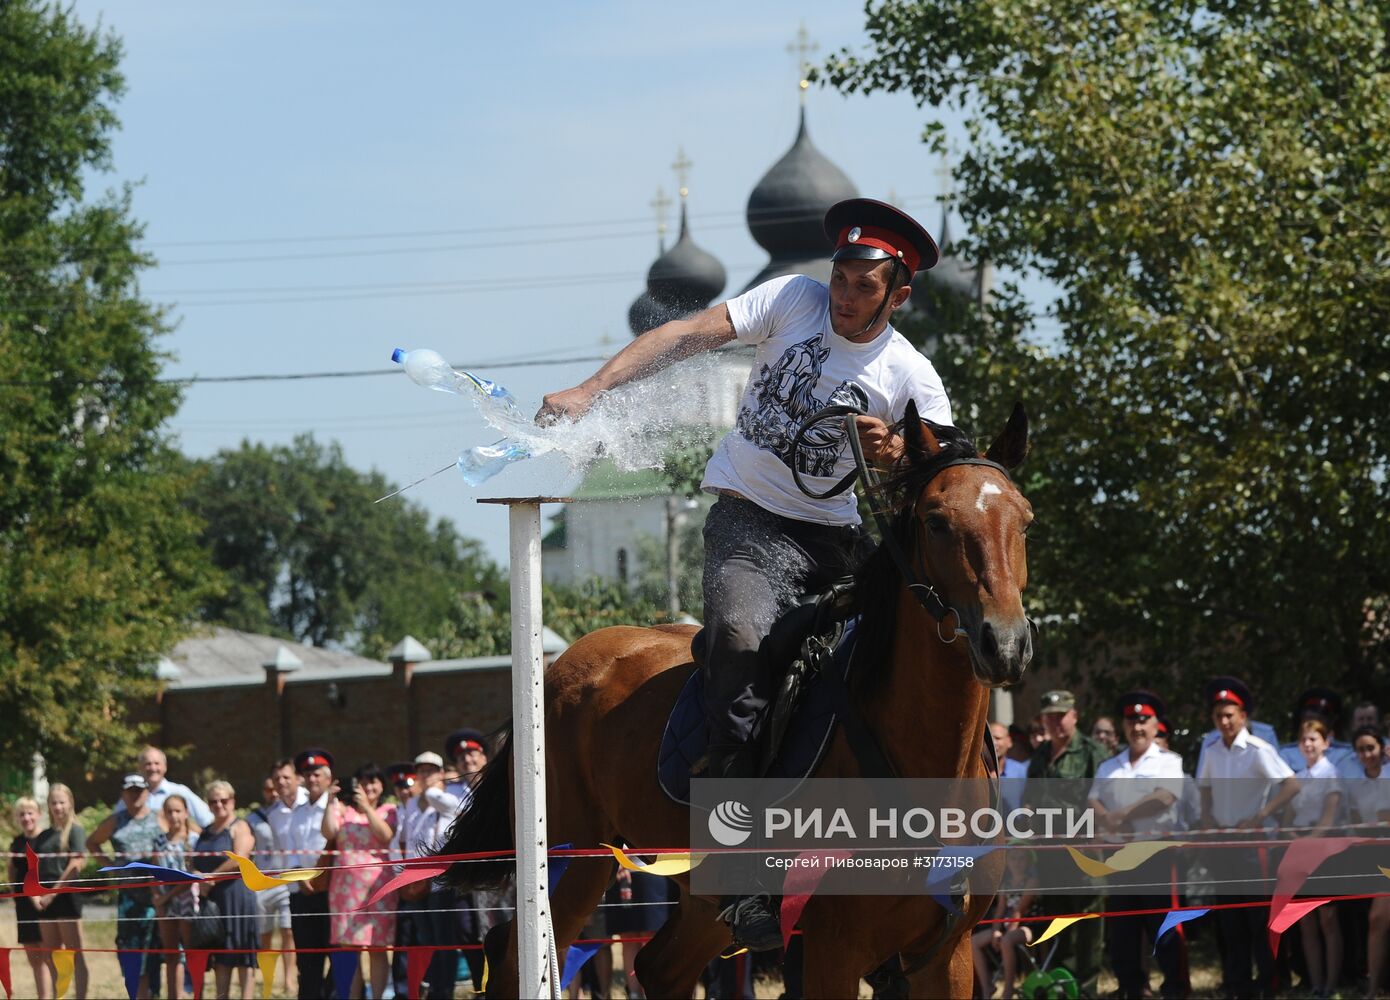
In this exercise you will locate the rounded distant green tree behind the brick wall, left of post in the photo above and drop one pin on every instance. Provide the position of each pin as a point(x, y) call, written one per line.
point(312, 556)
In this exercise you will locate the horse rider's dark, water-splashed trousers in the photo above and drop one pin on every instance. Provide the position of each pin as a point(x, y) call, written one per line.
point(757, 565)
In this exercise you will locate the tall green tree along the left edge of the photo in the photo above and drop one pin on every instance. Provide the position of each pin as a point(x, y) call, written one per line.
point(99, 563)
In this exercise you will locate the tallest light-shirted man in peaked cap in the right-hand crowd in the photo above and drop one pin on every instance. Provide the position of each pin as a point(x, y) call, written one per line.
point(1236, 777)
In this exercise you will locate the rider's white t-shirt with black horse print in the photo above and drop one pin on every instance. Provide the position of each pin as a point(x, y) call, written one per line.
point(801, 368)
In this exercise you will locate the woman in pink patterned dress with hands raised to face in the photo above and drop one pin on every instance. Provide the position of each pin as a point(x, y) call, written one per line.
point(361, 827)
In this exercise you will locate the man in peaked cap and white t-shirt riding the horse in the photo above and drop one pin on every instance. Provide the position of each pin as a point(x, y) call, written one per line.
point(767, 542)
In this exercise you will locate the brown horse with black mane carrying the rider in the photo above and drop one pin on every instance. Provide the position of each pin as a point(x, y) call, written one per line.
point(925, 699)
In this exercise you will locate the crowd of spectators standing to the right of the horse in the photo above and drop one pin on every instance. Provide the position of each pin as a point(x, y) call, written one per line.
point(1239, 785)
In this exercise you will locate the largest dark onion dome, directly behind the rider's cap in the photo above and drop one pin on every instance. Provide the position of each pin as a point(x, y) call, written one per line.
point(789, 207)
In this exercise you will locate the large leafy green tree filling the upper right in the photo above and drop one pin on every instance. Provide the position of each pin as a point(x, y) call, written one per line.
point(1207, 187)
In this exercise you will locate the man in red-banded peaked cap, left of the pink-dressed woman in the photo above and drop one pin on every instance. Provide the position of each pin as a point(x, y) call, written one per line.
point(304, 845)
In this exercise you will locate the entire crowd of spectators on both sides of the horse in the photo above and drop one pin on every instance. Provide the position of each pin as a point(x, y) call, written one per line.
point(1316, 784)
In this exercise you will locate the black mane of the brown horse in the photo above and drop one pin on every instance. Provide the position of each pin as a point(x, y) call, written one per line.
point(878, 579)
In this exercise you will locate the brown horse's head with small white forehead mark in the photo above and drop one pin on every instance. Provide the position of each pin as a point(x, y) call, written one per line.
point(968, 525)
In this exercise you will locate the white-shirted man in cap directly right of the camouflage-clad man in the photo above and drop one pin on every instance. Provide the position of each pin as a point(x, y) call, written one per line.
point(1139, 792)
